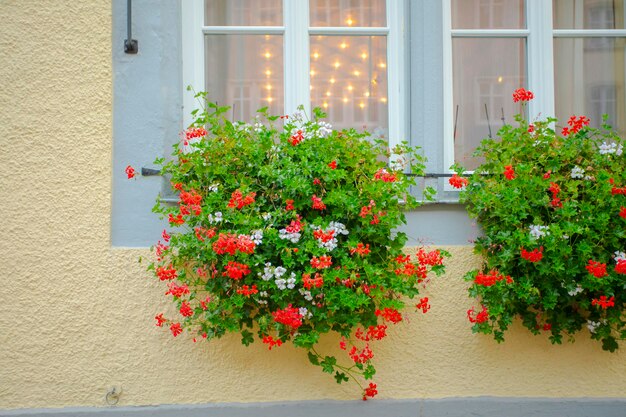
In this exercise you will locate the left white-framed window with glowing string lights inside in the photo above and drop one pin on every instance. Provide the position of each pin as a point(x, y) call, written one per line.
point(344, 56)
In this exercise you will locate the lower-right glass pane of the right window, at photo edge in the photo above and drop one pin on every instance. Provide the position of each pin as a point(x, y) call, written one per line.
point(590, 78)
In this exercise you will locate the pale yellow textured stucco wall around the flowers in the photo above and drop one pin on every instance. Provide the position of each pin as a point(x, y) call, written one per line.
point(76, 316)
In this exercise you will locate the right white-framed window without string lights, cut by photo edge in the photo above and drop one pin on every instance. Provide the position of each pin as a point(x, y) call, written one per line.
point(571, 53)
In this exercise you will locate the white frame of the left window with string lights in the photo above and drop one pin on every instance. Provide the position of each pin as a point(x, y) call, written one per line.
point(296, 54)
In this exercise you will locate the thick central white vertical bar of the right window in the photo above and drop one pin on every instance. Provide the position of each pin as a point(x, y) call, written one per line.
point(540, 58)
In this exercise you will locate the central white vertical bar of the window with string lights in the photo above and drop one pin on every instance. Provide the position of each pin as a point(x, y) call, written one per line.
point(296, 55)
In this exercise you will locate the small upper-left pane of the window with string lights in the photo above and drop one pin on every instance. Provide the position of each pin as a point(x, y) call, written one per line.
point(243, 12)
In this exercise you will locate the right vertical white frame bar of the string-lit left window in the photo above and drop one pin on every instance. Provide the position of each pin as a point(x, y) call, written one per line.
point(395, 65)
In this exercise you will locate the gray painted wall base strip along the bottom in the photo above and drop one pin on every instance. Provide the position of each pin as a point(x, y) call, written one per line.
point(452, 407)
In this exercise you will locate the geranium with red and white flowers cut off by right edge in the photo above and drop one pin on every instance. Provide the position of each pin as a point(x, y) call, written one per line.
point(552, 208)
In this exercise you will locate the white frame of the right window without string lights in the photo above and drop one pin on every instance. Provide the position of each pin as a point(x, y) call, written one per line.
point(539, 34)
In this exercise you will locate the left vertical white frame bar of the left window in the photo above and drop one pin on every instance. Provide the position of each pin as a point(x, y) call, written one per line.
point(193, 55)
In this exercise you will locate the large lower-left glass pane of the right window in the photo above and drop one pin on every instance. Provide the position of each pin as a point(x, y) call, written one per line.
point(486, 72)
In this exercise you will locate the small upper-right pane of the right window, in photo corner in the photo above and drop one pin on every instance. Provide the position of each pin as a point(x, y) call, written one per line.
point(588, 14)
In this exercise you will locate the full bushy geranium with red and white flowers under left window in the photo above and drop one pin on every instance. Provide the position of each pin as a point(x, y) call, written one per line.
point(285, 230)
